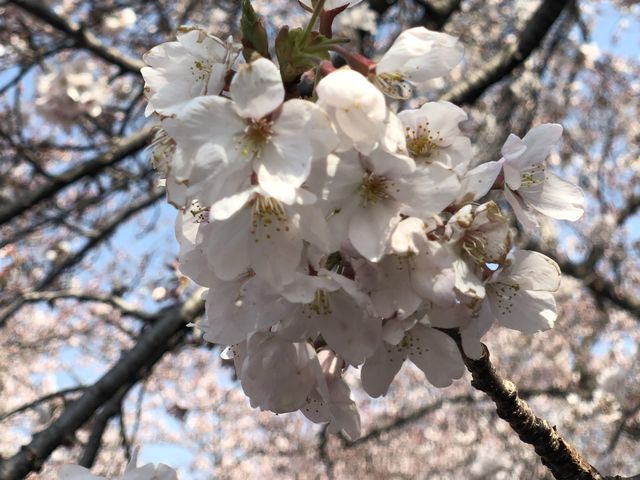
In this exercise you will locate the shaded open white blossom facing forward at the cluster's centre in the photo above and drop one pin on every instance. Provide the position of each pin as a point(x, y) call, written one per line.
point(369, 194)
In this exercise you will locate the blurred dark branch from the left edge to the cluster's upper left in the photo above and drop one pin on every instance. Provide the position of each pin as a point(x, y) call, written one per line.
point(121, 150)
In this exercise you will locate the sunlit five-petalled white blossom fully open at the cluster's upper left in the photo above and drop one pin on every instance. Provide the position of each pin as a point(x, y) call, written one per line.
point(224, 141)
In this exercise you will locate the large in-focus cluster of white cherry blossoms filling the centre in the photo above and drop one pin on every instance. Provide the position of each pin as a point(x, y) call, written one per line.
point(334, 232)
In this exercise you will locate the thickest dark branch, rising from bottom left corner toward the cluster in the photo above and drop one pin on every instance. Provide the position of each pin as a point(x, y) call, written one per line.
point(160, 338)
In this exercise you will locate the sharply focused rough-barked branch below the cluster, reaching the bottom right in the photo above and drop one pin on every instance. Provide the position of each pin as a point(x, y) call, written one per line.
point(563, 460)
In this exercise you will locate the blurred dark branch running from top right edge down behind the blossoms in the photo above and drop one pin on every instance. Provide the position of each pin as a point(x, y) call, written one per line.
point(476, 83)
